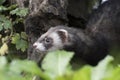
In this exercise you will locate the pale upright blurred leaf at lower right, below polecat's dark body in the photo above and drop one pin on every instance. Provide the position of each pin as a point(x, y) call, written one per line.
point(99, 72)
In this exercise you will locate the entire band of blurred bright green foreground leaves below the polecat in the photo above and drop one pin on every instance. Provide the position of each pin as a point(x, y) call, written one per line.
point(56, 66)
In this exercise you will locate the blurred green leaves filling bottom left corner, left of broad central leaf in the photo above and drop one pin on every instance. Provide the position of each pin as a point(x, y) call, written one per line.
point(14, 70)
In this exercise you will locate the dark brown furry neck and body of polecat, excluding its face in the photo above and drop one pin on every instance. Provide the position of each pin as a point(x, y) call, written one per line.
point(100, 36)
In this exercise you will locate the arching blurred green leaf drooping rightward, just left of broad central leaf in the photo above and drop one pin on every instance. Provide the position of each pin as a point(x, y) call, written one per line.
point(18, 66)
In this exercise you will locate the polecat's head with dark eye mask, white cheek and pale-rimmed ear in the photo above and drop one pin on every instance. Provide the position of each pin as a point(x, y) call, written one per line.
point(53, 39)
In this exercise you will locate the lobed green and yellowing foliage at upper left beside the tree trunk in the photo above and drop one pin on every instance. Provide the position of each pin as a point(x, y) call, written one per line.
point(10, 17)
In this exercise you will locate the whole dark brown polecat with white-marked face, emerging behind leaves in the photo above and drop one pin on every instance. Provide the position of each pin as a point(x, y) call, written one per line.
point(92, 44)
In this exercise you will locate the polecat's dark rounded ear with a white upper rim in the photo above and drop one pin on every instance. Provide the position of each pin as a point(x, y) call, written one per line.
point(63, 34)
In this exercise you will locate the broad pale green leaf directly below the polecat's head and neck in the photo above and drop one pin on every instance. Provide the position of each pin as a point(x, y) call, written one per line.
point(55, 63)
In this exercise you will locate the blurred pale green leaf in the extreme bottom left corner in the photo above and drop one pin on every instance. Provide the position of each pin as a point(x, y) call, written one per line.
point(5, 73)
